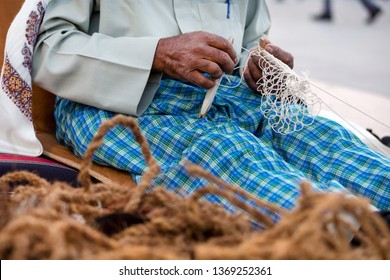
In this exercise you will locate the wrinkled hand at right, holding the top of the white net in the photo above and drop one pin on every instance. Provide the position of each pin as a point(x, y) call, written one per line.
point(253, 73)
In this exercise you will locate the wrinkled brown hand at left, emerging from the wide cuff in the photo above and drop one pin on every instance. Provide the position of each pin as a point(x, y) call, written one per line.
point(188, 56)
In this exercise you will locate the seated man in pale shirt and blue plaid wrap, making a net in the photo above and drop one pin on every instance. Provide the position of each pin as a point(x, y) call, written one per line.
point(155, 60)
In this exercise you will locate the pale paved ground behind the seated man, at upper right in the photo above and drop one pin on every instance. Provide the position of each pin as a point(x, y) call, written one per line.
point(346, 57)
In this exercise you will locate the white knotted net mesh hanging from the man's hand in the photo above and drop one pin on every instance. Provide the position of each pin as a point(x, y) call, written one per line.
point(288, 102)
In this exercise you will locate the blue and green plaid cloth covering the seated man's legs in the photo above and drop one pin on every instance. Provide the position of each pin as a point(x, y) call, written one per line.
point(235, 143)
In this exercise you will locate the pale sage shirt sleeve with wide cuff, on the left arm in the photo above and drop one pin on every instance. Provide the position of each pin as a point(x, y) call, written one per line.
point(72, 61)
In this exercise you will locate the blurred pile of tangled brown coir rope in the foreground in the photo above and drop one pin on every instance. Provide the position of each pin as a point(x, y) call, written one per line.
point(42, 220)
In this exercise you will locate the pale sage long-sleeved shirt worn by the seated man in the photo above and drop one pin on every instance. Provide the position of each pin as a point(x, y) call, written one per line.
point(100, 52)
